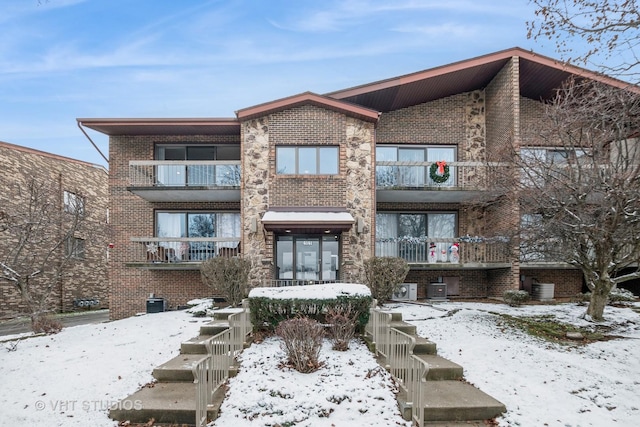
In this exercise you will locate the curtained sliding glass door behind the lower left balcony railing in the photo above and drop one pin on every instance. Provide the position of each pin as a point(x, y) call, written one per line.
point(193, 233)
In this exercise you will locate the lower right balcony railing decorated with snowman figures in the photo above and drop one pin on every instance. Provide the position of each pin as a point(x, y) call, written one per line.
point(447, 253)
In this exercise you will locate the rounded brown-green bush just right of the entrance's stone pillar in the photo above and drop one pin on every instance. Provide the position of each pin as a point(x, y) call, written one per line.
point(384, 275)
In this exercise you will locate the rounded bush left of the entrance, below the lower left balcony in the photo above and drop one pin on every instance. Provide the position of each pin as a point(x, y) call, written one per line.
point(228, 276)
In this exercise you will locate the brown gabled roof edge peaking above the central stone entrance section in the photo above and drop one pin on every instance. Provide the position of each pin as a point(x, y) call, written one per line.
point(309, 98)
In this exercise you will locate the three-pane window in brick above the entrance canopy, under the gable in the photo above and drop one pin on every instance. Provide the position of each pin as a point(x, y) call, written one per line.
point(307, 160)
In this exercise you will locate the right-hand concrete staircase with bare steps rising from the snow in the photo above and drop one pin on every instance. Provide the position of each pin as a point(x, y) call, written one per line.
point(451, 400)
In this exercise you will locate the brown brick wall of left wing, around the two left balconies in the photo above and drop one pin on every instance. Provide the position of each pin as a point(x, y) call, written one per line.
point(133, 216)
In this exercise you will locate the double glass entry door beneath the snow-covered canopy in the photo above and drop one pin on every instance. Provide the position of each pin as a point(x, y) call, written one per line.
point(307, 258)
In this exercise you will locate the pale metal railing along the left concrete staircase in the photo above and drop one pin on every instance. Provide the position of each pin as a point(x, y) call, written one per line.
point(212, 370)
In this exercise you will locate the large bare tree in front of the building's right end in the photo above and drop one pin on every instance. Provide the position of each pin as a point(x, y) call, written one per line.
point(578, 186)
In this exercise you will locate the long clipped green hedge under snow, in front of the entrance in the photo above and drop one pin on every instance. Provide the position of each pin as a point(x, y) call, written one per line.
point(267, 313)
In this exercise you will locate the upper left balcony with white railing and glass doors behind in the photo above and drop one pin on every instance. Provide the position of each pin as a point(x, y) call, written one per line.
point(185, 181)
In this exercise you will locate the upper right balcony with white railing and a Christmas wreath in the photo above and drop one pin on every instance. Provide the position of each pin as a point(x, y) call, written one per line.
point(406, 181)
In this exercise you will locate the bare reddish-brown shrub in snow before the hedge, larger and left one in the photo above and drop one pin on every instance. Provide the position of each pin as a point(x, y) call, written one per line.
point(301, 341)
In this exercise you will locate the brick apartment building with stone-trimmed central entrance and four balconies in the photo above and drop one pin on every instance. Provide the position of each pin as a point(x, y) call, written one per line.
point(308, 187)
